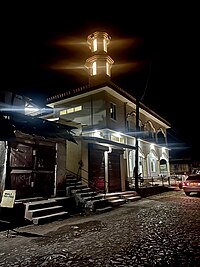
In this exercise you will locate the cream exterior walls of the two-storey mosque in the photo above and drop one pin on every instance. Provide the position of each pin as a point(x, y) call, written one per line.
point(95, 114)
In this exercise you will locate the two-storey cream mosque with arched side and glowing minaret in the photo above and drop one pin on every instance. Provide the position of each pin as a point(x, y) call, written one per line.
point(108, 130)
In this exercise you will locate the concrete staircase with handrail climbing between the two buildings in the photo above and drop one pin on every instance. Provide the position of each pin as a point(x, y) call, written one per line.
point(87, 200)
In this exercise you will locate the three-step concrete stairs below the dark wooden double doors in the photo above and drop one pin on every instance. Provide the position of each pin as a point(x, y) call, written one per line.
point(43, 211)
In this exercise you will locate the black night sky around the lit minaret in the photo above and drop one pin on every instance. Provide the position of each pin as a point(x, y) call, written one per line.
point(154, 48)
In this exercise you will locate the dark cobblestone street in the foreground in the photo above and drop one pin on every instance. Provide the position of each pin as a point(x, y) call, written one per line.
point(160, 230)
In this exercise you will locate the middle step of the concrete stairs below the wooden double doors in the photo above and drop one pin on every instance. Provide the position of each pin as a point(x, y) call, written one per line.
point(31, 214)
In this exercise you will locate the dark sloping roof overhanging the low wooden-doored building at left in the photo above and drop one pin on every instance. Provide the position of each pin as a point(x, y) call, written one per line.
point(15, 121)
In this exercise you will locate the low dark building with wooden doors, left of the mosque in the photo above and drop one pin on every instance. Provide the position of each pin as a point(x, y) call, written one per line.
point(29, 148)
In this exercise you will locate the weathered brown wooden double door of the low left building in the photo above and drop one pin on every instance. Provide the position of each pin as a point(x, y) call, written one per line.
point(31, 170)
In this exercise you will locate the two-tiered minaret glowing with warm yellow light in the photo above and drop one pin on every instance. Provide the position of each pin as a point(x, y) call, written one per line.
point(99, 64)
